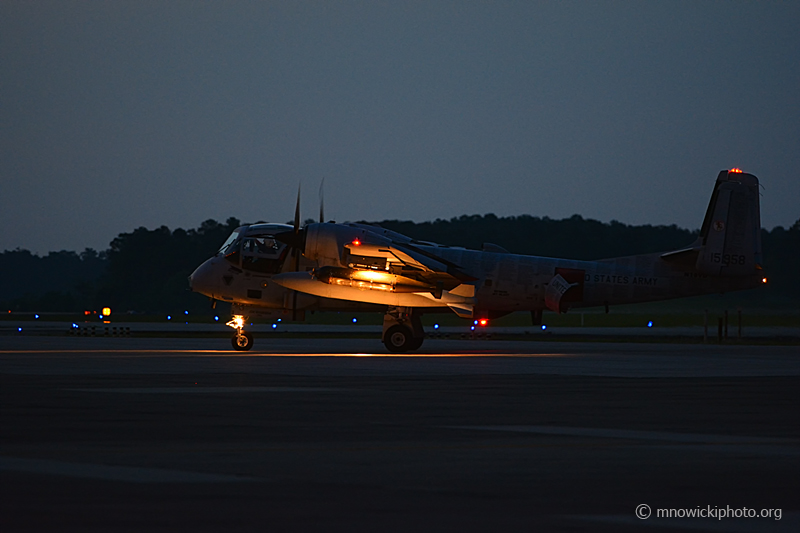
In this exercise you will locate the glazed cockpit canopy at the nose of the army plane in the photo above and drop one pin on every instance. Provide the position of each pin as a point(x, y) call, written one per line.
point(255, 248)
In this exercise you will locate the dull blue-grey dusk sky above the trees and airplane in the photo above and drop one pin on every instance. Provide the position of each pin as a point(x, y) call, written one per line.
point(115, 115)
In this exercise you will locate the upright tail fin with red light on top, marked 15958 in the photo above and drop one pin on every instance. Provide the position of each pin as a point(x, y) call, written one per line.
point(731, 232)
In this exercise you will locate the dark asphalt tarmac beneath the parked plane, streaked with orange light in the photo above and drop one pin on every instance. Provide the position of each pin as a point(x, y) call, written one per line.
point(127, 434)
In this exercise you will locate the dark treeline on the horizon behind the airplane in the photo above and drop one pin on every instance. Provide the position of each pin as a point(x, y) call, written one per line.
point(147, 270)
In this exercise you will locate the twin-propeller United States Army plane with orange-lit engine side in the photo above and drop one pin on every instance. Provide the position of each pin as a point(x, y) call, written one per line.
point(280, 270)
